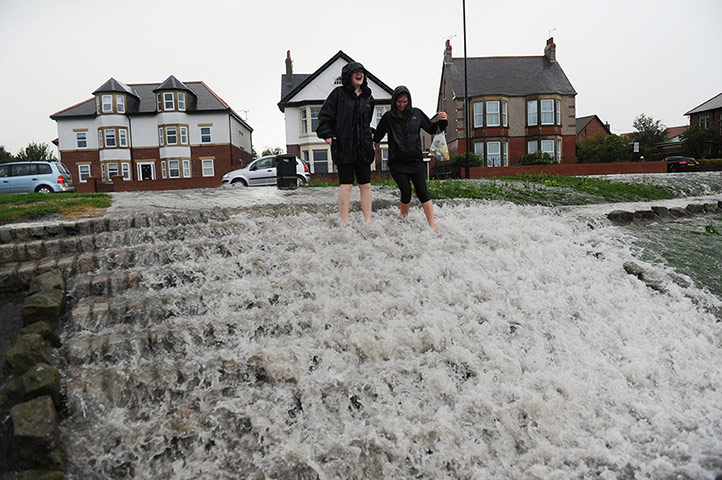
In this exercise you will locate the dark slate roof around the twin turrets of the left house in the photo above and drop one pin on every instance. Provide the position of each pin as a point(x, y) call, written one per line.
point(205, 100)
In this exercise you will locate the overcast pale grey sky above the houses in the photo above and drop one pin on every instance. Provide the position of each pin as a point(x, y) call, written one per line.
point(661, 58)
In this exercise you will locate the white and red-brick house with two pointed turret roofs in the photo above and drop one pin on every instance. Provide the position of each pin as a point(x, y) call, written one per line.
point(151, 136)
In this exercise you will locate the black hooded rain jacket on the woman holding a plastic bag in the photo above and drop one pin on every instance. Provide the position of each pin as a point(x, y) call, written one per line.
point(404, 130)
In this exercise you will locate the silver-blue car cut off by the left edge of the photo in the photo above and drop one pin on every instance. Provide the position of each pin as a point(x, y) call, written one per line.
point(40, 177)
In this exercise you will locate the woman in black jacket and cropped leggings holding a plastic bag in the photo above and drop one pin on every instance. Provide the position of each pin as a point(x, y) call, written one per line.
point(403, 123)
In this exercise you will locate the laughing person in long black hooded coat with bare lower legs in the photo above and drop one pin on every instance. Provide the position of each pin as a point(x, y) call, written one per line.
point(344, 124)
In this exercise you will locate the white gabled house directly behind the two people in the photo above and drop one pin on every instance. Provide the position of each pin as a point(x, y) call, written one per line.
point(302, 96)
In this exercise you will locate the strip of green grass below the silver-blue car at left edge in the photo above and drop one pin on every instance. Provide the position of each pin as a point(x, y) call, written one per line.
point(18, 206)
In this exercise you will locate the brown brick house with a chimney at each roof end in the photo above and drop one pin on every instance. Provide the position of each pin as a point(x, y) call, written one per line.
point(518, 105)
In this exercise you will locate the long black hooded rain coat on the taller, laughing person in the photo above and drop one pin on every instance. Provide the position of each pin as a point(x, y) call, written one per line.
point(346, 117)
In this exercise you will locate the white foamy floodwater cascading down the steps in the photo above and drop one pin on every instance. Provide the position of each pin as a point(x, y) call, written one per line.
point(514, 346)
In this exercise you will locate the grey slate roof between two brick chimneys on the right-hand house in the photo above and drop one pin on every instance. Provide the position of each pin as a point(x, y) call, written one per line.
point(511, 76)
